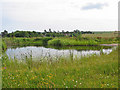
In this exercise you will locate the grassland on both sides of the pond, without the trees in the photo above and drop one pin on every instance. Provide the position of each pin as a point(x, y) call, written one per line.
point(87, 72)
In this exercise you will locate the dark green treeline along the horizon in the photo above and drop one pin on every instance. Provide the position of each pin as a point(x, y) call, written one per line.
point(46, 33)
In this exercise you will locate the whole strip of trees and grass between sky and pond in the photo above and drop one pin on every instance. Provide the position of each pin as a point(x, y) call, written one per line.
point(75, 38)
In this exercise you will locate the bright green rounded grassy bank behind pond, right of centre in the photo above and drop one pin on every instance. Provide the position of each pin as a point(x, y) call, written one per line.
point(83, 41)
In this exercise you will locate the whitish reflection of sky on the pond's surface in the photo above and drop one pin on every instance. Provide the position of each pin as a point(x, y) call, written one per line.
point(38, 52)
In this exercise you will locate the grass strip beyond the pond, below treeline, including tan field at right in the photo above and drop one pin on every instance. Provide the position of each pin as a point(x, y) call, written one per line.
point(86, 39)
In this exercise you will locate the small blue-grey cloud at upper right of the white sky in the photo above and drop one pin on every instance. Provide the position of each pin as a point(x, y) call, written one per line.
point(94, 6)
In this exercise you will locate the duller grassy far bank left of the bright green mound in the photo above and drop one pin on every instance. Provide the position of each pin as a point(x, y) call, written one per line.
point(39, 41)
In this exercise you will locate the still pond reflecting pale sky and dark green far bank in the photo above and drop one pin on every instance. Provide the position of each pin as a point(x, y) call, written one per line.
point(47, 52)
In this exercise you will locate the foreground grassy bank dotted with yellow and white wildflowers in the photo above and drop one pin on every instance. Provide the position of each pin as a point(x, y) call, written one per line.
point(88, 72)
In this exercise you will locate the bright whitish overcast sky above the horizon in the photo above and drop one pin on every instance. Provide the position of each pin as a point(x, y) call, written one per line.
point(67, 15)
